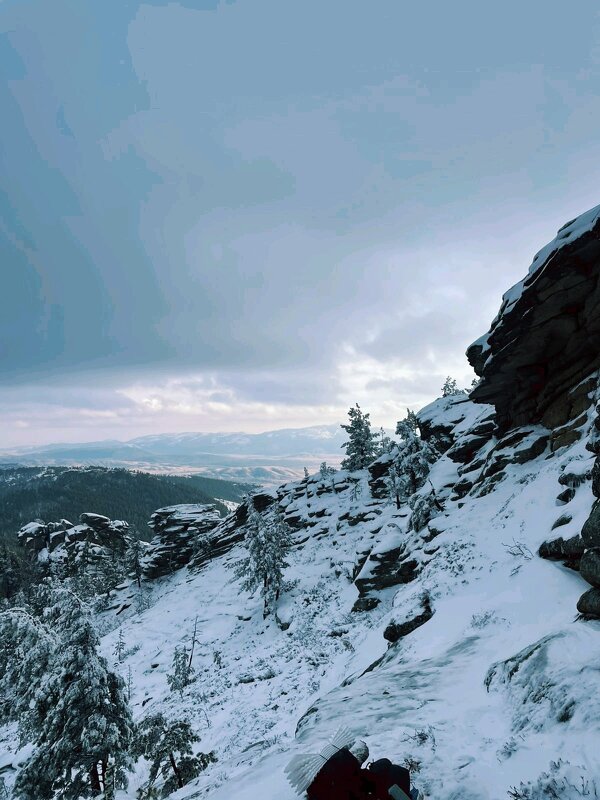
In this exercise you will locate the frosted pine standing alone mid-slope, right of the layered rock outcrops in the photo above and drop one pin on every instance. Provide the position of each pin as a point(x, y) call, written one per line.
point(267, 542)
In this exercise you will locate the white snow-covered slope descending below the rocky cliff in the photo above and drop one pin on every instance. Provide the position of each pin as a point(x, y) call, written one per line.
point(499, 688)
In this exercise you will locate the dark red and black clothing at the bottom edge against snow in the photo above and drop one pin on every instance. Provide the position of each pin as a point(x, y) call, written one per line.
point(341, 778)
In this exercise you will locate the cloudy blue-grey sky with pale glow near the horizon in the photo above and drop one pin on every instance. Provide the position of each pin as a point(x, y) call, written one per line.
point(250, 215)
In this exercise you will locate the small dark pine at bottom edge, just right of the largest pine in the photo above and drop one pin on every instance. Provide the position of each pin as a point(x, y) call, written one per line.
point(168, 748)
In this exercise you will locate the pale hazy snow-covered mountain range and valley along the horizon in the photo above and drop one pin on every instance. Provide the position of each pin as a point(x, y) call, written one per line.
point(266, 458)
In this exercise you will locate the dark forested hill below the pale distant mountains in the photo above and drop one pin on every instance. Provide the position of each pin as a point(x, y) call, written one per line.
point(54, 493)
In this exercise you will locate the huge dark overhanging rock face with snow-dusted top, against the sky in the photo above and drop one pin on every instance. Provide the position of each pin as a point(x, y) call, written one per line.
point(545, 340)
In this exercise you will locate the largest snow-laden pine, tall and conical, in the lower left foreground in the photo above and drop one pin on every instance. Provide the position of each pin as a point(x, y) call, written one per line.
point(81, 721)
